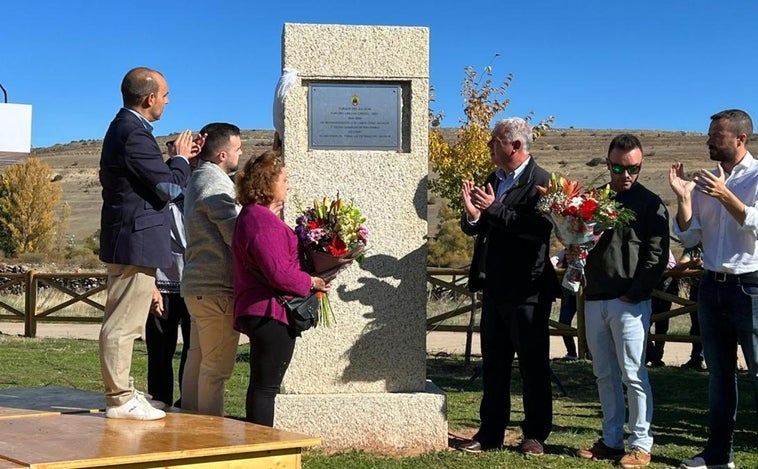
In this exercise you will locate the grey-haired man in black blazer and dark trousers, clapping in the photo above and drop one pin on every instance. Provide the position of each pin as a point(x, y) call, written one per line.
point(511, 264)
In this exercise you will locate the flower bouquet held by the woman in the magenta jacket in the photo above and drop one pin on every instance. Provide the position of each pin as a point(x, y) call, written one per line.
point(333, 236)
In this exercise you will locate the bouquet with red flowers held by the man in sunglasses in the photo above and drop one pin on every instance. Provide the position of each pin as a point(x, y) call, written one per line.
point(579, 218)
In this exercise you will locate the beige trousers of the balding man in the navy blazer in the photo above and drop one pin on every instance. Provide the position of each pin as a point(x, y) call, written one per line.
point(129, 292)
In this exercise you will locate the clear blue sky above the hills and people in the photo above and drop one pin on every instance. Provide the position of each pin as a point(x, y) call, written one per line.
point(646, 65)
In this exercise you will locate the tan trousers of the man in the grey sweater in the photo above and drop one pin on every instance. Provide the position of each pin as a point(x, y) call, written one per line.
point(212, 353)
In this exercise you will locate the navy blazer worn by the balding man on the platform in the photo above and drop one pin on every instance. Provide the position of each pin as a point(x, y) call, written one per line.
point(137, 185)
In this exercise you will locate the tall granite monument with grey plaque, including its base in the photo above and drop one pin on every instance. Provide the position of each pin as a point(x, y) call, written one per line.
point(355, 121)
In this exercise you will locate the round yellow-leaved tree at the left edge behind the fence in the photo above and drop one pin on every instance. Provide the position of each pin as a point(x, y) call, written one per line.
point(27, 207)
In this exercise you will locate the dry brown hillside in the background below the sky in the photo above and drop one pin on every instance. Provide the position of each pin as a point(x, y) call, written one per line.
point(569, 152)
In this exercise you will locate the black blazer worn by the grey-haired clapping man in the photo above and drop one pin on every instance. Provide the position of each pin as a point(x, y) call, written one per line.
point(512, 252)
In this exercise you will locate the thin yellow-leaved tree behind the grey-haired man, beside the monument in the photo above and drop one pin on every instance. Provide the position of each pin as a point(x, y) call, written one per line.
point(468, 158)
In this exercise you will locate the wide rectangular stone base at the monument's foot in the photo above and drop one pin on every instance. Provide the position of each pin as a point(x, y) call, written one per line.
point(381, 422)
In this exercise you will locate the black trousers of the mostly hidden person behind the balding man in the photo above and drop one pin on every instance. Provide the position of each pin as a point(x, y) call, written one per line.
point(161, 336)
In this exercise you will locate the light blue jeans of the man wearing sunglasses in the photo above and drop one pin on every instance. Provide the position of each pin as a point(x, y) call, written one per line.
point(617, 337)
